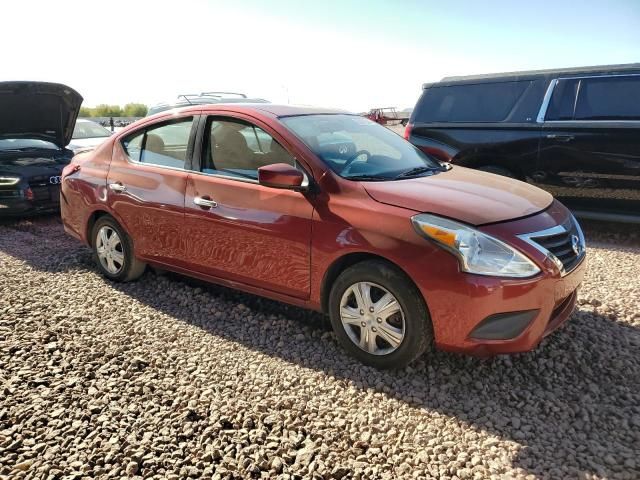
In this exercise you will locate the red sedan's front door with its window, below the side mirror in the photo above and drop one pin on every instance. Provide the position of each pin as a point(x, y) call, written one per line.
point(238, 229)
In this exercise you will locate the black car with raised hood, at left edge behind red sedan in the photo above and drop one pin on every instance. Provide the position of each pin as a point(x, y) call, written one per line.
point(36, 122)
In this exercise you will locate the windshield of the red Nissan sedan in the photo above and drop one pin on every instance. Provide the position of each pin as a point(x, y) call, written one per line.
point(357, 148)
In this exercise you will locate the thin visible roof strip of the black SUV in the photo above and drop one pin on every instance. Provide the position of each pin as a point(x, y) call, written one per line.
point(534, 74)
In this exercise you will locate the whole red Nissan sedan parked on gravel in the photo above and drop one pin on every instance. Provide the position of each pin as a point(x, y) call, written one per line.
point(330, 211)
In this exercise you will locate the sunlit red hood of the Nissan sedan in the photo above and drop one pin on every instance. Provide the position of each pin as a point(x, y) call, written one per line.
point(463, 194)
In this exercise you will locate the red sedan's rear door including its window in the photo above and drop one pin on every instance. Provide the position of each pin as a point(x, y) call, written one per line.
point(146, 187)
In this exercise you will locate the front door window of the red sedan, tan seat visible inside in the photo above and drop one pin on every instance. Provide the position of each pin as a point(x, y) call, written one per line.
point(239, 149)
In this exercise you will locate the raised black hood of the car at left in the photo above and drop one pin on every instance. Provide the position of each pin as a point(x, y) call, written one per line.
point(47, 111)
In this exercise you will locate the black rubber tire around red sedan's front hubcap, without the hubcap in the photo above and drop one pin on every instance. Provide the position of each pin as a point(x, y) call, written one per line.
point(418, 332)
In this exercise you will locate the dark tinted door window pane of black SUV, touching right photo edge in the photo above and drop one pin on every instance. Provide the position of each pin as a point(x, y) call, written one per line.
point(613, 98)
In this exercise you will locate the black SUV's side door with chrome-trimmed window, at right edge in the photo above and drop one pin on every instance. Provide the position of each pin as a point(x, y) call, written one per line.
point(589, 154)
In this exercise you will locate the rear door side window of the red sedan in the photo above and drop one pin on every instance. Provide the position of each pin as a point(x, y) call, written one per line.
point(165, 145)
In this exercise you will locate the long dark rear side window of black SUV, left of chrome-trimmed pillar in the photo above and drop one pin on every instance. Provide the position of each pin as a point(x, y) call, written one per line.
point(482, 102)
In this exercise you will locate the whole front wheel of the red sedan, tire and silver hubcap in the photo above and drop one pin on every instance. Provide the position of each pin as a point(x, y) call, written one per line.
point(379, 315)
